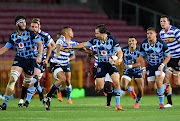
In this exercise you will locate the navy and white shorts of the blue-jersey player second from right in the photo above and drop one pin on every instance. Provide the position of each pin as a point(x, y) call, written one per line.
point(152, 71)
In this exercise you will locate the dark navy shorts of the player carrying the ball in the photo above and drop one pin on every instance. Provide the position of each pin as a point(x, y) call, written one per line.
point(104, 68)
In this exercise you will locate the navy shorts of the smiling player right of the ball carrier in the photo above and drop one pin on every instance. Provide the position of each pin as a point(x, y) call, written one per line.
point(129, 75)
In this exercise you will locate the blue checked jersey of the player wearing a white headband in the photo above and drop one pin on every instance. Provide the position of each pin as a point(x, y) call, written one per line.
point(24, 43)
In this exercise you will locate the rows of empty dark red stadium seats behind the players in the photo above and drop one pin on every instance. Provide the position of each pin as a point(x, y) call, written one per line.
point(82, 21)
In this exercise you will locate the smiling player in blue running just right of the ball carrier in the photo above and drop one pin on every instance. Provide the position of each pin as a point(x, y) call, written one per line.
point(132, 68)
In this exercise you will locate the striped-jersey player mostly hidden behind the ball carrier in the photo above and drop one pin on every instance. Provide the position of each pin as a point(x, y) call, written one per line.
point(108, 81)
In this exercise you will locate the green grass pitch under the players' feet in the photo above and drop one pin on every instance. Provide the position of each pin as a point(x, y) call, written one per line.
point(92, 109)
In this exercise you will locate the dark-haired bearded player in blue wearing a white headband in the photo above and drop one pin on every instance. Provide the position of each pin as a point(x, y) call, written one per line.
point(24, 41)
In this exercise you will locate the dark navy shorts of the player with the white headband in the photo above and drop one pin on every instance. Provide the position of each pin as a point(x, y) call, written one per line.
point(27, 64)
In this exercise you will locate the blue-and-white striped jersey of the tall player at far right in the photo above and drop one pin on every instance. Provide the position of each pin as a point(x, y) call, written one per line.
point(172, 38)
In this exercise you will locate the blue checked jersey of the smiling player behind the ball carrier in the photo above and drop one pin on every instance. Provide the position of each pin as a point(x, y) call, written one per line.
point(130, 58)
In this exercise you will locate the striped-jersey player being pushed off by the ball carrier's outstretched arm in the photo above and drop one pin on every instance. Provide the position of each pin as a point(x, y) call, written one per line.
point(60, 65)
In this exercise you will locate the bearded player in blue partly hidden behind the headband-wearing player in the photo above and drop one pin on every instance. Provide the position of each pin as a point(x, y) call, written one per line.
point(39, 67)
